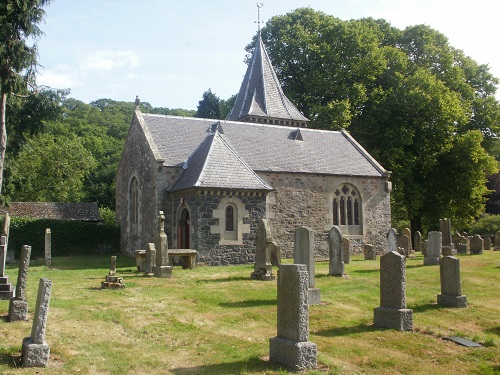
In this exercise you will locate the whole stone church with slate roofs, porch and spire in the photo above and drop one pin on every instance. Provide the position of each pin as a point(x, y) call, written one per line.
point(215, 179)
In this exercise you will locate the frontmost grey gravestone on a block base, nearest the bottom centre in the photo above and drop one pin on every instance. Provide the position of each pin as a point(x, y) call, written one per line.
point(291, 347)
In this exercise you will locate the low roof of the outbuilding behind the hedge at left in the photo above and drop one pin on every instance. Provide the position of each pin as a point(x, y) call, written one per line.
point(54, 210)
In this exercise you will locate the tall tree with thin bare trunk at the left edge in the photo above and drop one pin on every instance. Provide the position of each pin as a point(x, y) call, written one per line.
point(19, 21)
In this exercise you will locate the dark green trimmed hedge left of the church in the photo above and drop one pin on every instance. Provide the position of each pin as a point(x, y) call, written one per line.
point(67, 237)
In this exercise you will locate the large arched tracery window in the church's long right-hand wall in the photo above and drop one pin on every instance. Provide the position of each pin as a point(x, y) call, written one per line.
point(346, 209)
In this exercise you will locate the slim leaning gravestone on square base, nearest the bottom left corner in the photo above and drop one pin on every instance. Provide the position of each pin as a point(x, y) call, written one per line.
point(35, 351)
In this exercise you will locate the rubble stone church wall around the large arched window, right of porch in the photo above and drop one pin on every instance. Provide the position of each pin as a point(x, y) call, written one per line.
point(306, 200)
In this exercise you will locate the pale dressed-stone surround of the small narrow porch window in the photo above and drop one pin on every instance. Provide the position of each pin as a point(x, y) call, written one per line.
point(235, 237)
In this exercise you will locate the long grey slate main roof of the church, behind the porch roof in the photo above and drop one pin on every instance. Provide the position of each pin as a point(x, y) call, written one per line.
point(263, 147)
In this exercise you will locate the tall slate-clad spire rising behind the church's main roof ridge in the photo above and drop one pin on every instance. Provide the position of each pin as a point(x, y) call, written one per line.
point(261, 95)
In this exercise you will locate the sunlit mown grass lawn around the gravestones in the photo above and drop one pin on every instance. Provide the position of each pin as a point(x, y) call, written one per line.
point(216, 320)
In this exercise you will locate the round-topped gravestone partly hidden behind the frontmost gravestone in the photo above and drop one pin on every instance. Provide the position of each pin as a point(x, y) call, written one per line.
point(303, 253)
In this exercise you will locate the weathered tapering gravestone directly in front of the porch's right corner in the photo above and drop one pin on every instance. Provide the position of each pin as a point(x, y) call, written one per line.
point(263, 268)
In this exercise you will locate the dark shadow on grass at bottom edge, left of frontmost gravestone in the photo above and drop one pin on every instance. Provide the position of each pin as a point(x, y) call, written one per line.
point(253, 365)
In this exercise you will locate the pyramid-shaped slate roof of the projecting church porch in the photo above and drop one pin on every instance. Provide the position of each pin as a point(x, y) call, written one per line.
point(216, 164)
